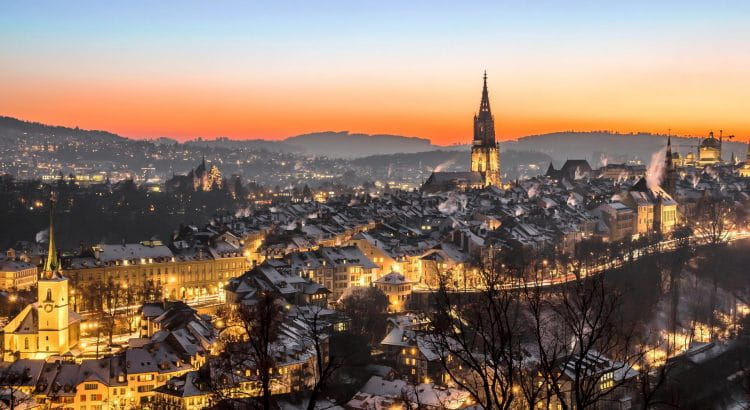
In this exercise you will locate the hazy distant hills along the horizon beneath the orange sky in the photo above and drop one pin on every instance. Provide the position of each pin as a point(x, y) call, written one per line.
point(560, 146)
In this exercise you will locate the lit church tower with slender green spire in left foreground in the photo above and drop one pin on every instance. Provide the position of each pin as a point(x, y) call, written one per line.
point(53, 302)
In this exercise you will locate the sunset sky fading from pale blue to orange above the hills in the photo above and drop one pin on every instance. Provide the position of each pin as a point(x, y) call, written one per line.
point(278, 68)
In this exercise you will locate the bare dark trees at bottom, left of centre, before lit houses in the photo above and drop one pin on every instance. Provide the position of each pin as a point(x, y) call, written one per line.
point(269, 347)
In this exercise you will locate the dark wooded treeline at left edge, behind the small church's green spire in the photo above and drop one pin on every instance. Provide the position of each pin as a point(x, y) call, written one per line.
point(104, 212)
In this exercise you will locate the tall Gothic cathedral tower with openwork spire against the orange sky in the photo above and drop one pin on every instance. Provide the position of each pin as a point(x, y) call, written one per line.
point(485, 153)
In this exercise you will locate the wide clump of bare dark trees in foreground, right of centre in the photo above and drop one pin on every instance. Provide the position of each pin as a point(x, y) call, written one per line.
point(569, 346)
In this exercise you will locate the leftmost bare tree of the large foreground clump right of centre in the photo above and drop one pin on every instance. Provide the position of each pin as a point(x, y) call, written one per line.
point(477, 339)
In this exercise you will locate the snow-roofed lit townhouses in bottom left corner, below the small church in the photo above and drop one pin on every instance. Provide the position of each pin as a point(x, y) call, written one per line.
point(176, 341)
